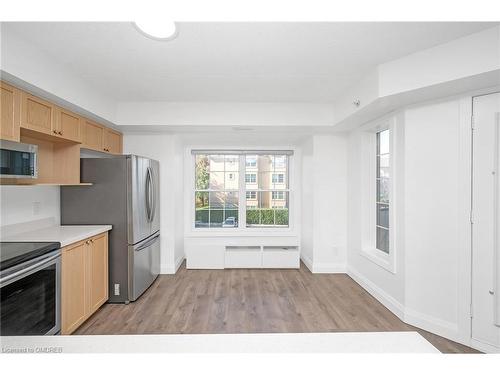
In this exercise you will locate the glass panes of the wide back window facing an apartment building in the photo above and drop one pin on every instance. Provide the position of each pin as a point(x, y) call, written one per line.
point(218, 188)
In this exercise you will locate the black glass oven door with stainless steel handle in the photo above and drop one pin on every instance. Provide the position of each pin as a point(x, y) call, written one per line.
point(30, 297)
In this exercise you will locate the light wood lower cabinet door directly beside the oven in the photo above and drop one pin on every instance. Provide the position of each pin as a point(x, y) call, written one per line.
point(73, 287)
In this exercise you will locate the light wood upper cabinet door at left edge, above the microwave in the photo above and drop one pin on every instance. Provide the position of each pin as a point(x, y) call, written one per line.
point(10, 112)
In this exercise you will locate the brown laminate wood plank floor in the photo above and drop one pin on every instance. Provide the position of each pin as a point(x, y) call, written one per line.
point(253, 301)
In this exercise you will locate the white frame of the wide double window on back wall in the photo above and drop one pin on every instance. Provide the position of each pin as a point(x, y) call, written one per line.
point(241, 229)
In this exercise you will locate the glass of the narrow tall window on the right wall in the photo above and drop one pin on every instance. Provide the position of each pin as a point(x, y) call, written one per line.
point(383, 190)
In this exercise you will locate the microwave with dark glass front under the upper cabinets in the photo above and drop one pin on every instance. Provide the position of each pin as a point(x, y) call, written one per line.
point(18, 160)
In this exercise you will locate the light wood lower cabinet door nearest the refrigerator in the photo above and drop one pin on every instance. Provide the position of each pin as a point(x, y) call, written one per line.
point(98, 269)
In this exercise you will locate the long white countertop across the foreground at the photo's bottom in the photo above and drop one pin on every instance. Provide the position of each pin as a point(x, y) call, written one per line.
point(334, 342)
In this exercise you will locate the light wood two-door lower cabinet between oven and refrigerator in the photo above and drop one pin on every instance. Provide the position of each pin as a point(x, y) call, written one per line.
point(84, 281)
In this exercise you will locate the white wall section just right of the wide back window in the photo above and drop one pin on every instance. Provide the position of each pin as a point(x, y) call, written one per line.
point(324, 225)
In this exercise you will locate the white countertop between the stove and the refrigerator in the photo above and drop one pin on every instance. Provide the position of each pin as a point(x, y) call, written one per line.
point(65, 234)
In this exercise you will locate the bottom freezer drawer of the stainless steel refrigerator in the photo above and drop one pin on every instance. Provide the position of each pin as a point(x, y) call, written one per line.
point(144, 264)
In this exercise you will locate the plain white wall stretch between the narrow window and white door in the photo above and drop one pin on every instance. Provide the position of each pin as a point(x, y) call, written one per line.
point(437, 164)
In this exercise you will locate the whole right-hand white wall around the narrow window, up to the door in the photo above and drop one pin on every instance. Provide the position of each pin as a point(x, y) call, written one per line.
point(431, 284)
